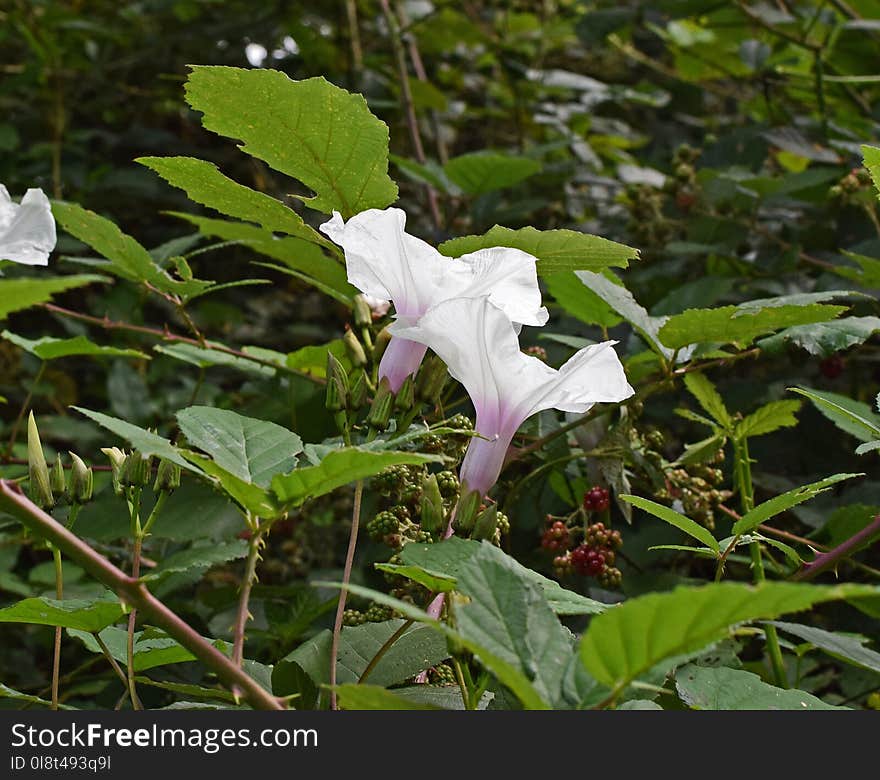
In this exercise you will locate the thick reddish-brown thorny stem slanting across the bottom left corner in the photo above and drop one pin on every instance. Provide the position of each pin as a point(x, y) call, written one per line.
point(133, 592)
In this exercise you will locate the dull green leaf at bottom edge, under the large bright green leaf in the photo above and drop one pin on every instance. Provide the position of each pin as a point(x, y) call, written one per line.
point(722, 688)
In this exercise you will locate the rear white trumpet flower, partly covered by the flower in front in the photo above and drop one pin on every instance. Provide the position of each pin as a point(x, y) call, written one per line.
point(387, 263)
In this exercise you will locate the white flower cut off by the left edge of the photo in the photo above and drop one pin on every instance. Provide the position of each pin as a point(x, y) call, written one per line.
point(27, 230)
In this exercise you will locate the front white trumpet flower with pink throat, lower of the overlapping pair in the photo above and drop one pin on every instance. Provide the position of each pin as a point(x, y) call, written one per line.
point(480, 346)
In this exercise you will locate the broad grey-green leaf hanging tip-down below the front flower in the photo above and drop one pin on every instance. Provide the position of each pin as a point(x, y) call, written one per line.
point(509, 616)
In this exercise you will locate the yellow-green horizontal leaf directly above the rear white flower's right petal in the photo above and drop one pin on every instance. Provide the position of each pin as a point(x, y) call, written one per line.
point(556, 250)
